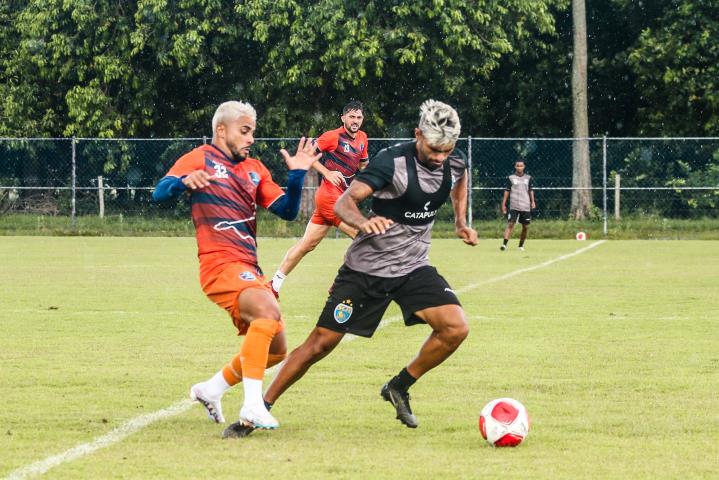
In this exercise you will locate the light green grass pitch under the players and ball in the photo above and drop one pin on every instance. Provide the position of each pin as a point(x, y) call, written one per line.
point(614, 352)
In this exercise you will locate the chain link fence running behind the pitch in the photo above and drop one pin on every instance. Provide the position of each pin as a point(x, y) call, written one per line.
point(667, 177)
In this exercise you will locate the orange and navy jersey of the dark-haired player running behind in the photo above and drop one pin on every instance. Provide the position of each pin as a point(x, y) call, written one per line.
point(343, 154)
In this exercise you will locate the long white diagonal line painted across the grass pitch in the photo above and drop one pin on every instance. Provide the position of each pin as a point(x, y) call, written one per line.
point(135, 424)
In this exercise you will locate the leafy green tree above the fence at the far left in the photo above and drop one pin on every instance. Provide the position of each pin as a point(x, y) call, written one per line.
point(71, 72)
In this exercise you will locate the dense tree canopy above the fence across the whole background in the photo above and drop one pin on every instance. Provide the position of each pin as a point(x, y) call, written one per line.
point(158, 68)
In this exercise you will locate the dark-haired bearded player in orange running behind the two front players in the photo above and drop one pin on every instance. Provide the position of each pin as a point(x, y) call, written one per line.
point(344, 154)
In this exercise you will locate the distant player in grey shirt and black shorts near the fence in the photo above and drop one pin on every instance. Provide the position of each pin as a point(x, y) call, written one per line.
point(520, 193)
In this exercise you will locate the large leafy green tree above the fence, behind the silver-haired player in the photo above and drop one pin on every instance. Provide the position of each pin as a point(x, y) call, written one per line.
point(392, 55)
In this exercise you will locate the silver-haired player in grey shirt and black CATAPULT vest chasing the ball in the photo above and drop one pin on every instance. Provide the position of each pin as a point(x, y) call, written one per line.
point(388, 260)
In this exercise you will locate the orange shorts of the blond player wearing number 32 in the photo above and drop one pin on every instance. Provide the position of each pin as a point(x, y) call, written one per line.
point(226, 285)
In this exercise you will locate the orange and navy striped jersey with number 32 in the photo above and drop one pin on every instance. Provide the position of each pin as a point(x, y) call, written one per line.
point(224, 213)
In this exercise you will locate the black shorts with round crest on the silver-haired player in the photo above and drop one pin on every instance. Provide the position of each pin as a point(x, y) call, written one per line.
point(358, 301)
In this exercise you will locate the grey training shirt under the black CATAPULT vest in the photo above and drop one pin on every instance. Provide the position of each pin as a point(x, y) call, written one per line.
point(402, 248)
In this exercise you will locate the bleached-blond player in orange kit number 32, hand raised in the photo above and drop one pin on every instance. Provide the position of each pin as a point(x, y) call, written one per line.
point(225, 187)
